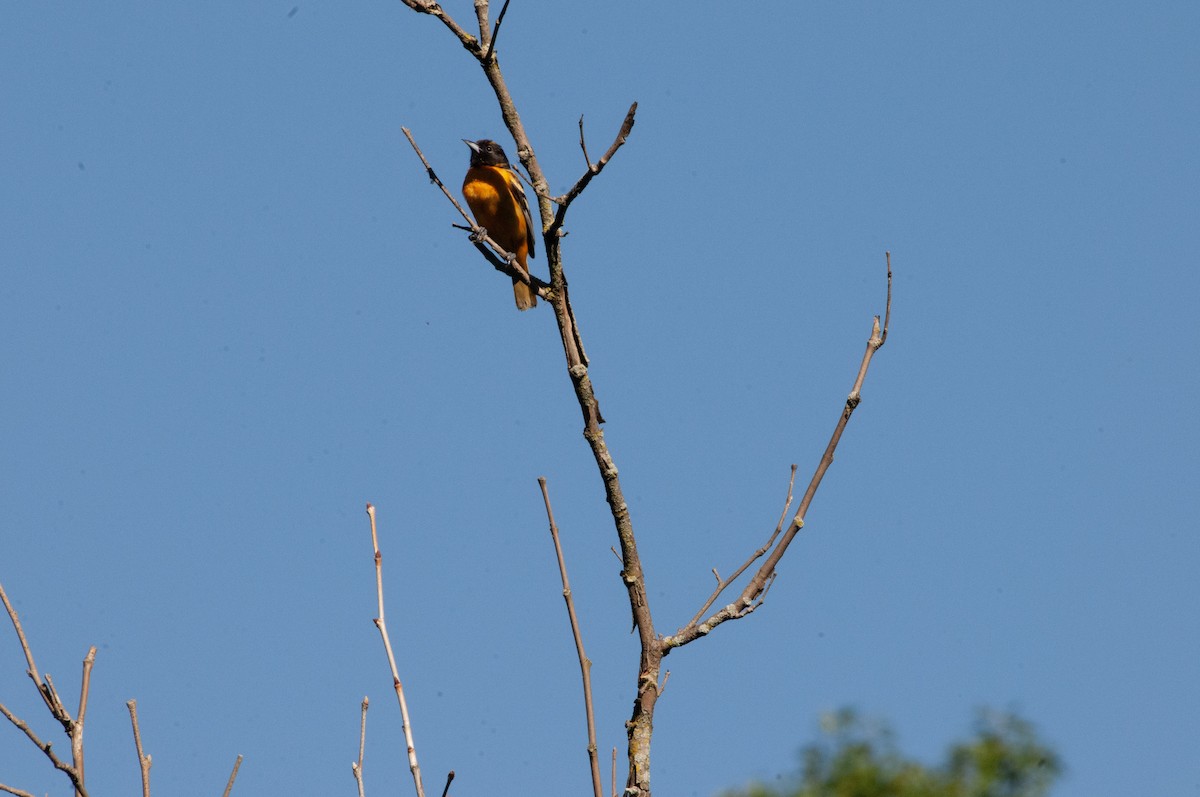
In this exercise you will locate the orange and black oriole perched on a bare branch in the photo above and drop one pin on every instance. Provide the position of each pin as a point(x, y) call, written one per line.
point(497, 199)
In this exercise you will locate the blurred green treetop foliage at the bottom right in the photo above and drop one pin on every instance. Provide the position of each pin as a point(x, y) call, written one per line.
point(860, 759)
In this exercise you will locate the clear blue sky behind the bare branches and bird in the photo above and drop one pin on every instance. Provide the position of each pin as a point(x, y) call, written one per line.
point(233, 311)
